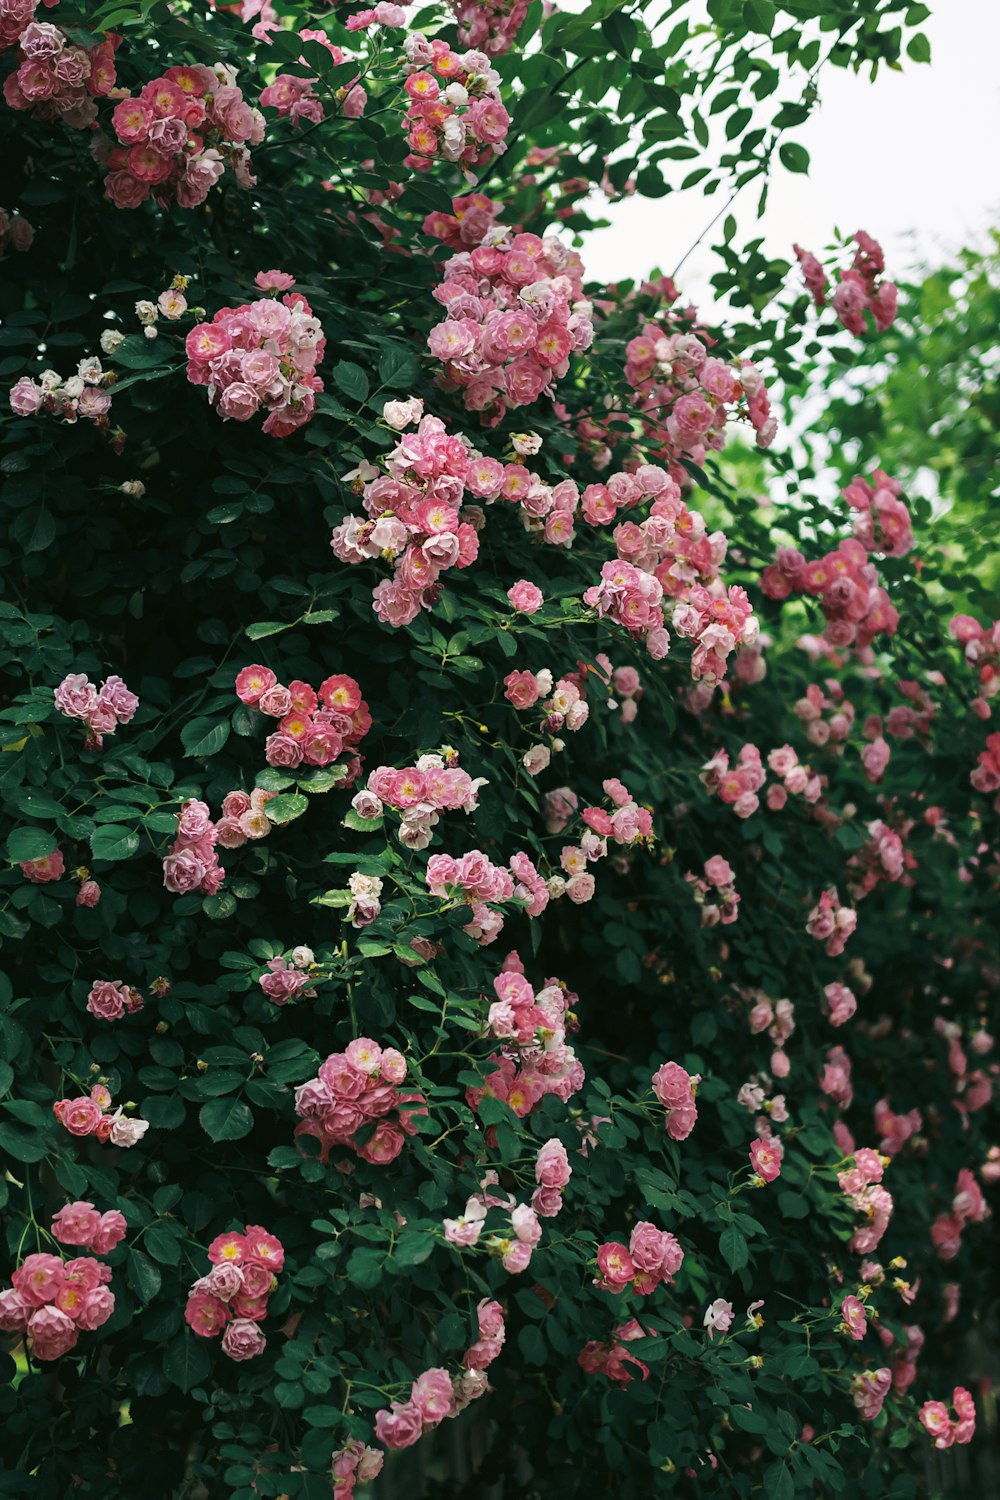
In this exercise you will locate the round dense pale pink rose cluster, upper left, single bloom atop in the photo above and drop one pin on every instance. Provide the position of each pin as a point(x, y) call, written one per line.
point(262, 356)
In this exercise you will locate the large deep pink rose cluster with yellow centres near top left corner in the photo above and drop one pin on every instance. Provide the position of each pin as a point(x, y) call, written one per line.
point(178, 136)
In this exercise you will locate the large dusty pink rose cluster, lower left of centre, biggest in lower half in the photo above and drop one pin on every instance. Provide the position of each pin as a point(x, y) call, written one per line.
point(356, 1090)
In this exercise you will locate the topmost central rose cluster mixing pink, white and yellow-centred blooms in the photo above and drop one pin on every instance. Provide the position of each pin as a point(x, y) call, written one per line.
point(455, 109)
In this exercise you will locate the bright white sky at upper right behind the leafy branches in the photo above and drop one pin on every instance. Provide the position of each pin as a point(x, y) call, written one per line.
point(914, 160)
